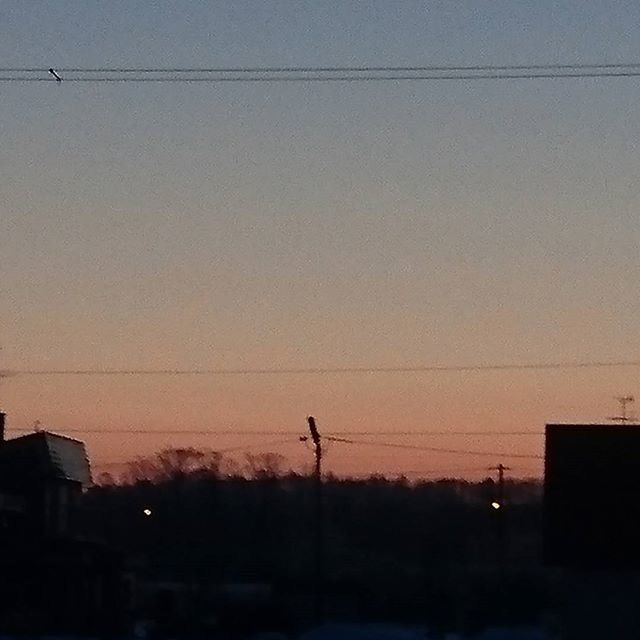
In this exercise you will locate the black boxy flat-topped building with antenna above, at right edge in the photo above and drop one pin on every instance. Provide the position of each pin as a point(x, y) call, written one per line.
point(591, 505)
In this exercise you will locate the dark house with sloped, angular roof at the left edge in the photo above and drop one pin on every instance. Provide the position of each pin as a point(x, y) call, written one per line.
point(54, 579)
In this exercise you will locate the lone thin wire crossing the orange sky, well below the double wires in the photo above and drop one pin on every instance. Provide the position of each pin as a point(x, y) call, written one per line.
point(588, 364)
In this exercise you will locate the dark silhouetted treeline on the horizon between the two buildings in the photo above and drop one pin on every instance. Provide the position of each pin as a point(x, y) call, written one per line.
point(394, 549)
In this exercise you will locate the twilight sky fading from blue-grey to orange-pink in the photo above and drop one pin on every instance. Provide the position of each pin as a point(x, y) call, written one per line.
point(318, 225)
